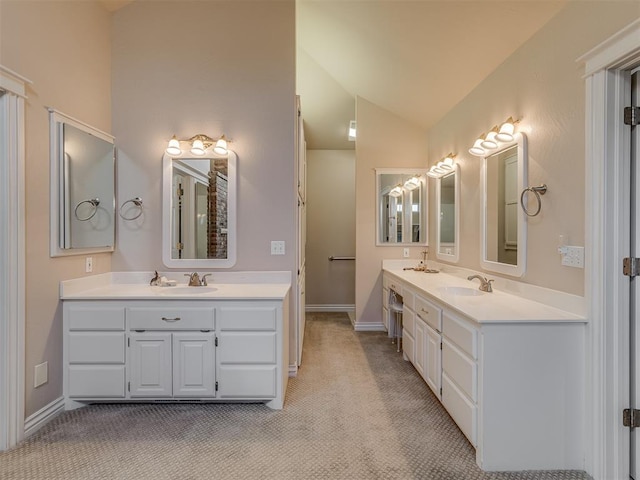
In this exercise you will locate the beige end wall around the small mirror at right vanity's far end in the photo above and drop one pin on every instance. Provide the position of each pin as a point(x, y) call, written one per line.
point(384, 140)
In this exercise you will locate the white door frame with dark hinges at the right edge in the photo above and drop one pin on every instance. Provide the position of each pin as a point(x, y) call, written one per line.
point(607, 240)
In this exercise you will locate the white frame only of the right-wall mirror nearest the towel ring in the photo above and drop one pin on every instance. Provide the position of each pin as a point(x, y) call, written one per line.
point(513, 270)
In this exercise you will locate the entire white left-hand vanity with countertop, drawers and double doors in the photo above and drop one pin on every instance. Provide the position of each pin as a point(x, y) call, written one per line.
point(126, 341)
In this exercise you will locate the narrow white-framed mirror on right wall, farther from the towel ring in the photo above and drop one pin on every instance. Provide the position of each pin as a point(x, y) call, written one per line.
point(448, 208)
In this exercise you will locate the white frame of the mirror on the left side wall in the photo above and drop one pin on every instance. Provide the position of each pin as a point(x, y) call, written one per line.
point(57, 184)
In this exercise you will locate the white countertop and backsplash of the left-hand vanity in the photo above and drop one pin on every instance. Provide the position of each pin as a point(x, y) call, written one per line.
point(135, 286)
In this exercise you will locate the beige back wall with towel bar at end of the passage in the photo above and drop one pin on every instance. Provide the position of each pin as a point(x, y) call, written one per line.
point(331, 228)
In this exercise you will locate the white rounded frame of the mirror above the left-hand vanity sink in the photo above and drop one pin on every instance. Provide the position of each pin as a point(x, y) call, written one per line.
point(199, 263)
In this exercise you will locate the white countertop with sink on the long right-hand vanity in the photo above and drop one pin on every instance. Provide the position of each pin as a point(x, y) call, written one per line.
point(496, 307)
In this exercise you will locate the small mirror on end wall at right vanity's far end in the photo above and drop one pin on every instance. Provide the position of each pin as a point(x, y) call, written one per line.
point(401, 199)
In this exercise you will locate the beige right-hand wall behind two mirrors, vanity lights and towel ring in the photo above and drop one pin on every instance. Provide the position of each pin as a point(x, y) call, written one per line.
point(542, 84)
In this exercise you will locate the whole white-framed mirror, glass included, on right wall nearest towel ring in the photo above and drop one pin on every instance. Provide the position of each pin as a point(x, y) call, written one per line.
point(504, 224)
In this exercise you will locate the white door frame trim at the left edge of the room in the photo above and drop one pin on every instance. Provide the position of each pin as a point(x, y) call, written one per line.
point(12, 257)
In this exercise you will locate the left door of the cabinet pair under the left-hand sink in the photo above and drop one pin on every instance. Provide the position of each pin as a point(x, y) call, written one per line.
point(150, 369)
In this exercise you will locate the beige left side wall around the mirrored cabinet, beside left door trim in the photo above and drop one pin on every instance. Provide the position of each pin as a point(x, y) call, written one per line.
point(64, 48)
